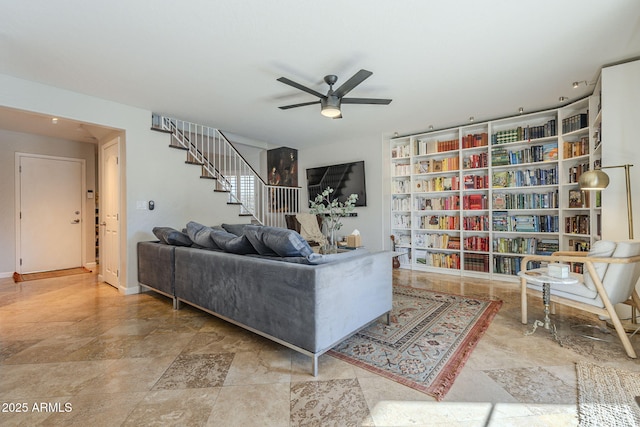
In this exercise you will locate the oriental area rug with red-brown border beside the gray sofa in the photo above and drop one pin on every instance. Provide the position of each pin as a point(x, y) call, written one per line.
point(430, 337)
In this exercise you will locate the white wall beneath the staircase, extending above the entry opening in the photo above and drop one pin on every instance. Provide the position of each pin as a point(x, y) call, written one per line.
point(151, 171)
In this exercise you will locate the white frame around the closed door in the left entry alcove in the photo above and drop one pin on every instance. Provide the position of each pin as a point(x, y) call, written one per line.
point(18, 203)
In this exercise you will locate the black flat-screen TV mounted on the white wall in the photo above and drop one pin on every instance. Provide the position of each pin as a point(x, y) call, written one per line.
point(345, 179)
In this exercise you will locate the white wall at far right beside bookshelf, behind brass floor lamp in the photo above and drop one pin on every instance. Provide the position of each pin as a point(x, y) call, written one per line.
point(620, 142)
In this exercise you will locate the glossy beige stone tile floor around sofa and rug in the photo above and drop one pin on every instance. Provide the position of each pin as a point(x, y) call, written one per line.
point(74, 351)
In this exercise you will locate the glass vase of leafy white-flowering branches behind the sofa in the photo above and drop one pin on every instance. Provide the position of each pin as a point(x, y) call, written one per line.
point(333, 210)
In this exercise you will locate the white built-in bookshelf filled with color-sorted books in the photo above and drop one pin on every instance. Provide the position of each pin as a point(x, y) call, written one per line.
point(474, 200)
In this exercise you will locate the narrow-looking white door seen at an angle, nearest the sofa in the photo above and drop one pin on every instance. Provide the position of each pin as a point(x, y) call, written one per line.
point(110, 213)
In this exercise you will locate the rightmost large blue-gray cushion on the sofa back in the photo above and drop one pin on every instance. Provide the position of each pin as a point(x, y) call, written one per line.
point(277, 241)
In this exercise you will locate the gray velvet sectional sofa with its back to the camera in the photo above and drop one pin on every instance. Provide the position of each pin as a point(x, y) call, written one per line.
point(307, 303)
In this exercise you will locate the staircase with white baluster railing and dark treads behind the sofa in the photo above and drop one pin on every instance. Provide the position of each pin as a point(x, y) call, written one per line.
point(220, 162)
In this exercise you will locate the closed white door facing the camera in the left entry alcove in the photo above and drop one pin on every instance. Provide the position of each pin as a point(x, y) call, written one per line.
point(50, 213)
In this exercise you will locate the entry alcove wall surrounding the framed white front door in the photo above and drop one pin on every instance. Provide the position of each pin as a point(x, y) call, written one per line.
point(17, 142)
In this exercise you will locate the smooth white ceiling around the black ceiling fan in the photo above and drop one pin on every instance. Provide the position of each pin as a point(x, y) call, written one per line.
point(216, 62)
